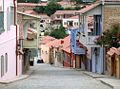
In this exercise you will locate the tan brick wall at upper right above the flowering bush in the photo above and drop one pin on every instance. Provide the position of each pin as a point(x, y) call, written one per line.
point(110, 16)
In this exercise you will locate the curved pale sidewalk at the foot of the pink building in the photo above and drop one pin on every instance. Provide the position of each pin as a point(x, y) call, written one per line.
point(17, 78)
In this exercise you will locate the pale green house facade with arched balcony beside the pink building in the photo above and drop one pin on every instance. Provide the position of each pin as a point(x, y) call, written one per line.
point(29, 35)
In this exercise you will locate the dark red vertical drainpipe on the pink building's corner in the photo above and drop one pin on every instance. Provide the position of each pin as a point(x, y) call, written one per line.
point(14, 2)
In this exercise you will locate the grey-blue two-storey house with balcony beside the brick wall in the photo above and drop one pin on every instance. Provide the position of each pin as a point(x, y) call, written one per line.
point(91, 30)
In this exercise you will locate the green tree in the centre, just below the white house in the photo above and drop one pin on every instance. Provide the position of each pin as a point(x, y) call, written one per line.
point(58, 33)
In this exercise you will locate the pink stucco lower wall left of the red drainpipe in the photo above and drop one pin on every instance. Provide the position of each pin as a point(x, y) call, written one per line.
point(8, 45)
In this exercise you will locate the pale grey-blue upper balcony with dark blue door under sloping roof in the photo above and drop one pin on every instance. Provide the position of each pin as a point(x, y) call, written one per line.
point(91, 30)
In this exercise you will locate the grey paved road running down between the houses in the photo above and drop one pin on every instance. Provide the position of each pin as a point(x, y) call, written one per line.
point(49, 77)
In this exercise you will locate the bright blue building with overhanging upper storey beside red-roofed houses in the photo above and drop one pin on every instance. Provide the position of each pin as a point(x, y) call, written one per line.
point(77, 49)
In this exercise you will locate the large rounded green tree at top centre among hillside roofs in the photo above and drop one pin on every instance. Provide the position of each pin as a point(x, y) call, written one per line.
point(52, 7)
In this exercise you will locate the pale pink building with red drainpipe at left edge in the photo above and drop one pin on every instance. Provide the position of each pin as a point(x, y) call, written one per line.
point(10, 52)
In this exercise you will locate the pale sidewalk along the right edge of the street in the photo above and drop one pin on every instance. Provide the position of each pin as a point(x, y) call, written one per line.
point(105, 79)
